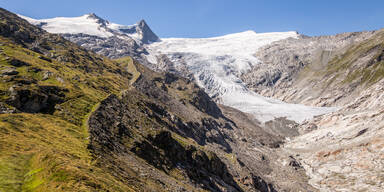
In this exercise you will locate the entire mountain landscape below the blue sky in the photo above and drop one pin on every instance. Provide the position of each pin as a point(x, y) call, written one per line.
point(314, 109)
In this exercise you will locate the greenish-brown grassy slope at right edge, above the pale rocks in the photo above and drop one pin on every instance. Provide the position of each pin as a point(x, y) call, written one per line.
point(343, 69)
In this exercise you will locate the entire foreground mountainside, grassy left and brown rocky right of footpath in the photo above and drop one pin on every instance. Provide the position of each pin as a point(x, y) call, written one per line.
point(72, 120)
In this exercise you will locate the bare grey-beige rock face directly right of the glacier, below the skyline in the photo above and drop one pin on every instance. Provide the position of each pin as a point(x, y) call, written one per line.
point(289, 68)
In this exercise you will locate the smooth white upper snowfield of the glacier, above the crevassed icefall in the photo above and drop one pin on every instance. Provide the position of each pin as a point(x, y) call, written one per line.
point(233, 50)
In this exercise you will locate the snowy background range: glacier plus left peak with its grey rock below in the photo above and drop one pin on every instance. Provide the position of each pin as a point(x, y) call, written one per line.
point(216, 64)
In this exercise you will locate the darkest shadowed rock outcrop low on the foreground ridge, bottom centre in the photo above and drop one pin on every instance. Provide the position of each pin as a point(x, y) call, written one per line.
point(200, 166)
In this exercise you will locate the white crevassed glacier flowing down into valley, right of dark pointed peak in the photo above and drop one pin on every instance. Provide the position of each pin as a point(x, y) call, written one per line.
point(217, 63)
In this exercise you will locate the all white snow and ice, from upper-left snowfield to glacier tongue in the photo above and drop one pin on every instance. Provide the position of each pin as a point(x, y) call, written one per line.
point(216, 63)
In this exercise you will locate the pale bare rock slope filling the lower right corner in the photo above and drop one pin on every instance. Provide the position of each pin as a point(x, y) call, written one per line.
point(345, 151)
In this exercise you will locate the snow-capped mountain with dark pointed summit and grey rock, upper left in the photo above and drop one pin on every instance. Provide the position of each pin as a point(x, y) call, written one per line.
point(101, 36)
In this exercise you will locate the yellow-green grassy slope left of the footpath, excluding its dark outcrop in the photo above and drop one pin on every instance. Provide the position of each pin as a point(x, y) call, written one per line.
point(42, 152)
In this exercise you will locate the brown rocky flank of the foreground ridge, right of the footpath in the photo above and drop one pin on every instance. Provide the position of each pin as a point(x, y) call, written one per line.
point(168, 122)
